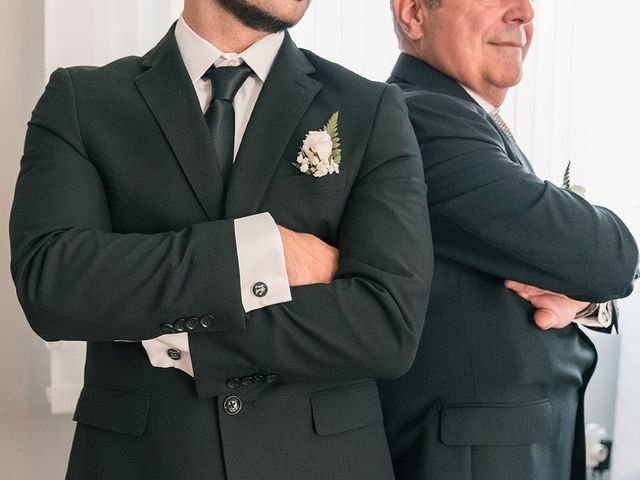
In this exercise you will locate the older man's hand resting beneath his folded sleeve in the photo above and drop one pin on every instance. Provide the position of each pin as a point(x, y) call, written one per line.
point(554, 310)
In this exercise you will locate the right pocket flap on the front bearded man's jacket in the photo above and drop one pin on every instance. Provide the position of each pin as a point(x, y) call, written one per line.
point(346, 409)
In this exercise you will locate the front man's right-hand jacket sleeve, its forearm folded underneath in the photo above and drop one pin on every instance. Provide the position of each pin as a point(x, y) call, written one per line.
point(366, 323)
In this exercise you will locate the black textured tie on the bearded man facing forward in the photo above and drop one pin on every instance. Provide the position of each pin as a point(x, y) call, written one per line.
point(220, 117)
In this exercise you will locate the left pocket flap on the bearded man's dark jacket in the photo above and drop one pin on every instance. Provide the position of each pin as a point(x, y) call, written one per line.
point(114, 410)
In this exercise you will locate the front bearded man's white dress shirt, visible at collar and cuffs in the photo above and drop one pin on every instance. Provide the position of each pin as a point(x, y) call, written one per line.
point(258, 242)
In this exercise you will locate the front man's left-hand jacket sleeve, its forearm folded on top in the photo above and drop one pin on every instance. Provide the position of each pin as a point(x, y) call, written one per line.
point(78, 280)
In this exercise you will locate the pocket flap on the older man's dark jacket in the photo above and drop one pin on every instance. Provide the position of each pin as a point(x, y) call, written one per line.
point(519, 424)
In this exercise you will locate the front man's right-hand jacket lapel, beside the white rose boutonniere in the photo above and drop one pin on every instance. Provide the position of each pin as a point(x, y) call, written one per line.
point(285, 96)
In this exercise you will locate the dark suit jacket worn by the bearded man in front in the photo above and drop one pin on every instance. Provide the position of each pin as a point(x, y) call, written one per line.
point(120, 227)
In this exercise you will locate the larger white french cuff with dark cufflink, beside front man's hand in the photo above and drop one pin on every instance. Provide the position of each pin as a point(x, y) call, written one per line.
point(263, 274)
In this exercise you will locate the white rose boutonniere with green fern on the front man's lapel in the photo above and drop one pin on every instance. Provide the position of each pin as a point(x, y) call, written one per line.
point(320, 151)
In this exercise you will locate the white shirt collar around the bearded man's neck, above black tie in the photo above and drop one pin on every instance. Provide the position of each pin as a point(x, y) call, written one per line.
point(198, 54)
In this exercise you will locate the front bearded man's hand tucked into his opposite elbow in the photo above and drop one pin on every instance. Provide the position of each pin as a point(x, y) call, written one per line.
point(308, 259)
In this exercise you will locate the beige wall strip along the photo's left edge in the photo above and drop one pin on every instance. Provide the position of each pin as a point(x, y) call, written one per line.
point(33, 444)
